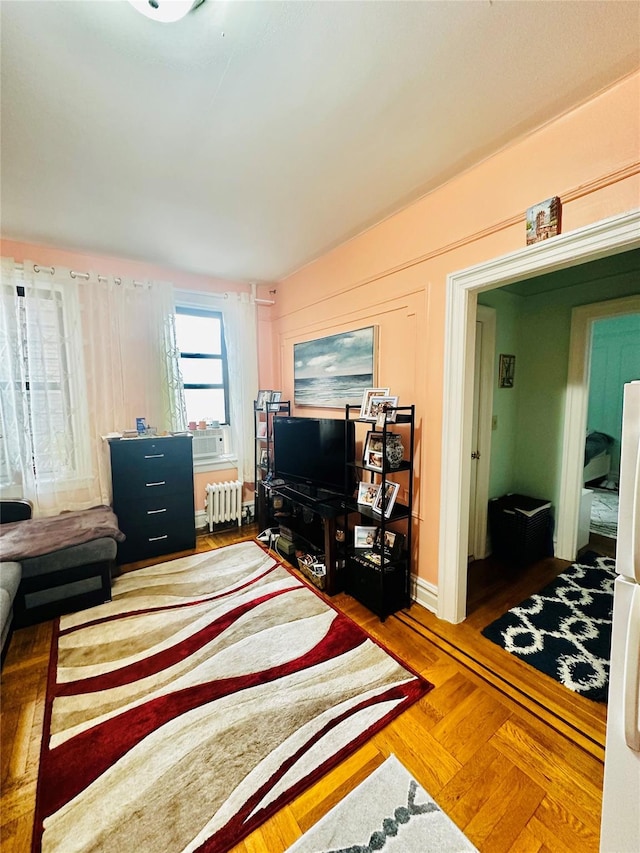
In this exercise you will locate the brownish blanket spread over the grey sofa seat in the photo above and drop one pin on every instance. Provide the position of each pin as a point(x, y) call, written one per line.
point(33, 537)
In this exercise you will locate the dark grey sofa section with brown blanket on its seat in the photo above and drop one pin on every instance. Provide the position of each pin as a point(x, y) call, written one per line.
point(40, 580)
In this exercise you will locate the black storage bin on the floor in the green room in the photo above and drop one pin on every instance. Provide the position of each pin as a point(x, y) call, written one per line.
point(521, 528)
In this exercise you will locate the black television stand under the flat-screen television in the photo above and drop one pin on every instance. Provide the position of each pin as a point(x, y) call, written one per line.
point(313, 522)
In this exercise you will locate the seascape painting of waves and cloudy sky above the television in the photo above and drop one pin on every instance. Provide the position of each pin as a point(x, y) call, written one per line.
point(332, 371)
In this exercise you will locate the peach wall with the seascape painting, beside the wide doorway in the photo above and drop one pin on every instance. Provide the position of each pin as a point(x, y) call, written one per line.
point(394, 274)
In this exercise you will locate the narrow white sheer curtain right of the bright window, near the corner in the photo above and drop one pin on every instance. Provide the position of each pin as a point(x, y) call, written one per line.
point(240, 321)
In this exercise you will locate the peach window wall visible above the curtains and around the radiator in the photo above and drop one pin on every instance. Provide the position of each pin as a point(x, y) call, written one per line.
point(82, 262)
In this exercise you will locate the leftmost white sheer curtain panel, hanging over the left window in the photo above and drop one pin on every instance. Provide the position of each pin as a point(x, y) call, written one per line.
point(43, 407)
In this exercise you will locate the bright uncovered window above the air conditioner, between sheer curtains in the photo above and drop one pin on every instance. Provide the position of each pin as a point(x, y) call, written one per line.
point(203, 362)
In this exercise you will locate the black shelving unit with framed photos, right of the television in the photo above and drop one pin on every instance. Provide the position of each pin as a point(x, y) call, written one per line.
point(378, 575)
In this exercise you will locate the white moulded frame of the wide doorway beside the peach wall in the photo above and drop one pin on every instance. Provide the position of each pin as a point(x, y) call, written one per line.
point(610, 236)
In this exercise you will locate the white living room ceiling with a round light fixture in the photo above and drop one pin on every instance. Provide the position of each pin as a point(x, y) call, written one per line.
point(251, 137)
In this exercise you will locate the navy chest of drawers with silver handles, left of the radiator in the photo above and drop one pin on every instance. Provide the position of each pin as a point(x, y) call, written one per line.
point(153, 495)
